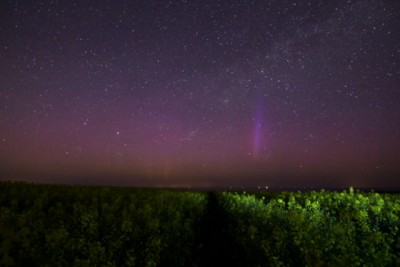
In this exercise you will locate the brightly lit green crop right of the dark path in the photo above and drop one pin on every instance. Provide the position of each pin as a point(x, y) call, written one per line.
point(316, 229)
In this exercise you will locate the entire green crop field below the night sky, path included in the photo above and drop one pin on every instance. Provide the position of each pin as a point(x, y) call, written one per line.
point(55, 225)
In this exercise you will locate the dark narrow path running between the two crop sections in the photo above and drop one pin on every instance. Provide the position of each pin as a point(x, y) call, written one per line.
point(218, 248)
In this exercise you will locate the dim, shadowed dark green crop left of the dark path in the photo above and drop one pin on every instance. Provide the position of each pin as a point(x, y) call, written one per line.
point(103, 226)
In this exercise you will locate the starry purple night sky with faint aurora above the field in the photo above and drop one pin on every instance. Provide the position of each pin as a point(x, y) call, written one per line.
point(201, 93)
